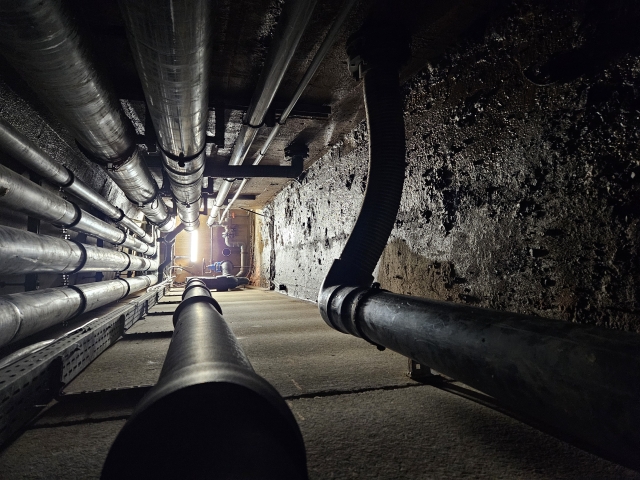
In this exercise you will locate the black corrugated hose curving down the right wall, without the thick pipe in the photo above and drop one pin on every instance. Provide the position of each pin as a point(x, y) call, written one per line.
point(383, 48)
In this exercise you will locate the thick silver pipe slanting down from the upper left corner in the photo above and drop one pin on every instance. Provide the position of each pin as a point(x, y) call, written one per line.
point(41, 41)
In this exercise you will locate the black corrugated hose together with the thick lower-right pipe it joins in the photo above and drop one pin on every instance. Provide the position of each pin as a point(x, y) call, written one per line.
point(583, 381)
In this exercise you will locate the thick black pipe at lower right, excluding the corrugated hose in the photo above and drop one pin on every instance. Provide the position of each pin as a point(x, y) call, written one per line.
point(582, 380)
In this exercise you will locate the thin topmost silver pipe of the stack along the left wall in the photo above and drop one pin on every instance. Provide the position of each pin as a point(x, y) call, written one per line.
point(20, 147)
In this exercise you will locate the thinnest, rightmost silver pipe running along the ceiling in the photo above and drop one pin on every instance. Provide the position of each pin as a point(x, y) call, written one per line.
point(326, 45)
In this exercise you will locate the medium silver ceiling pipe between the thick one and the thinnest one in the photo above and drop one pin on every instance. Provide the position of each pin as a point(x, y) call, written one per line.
point(293, 21)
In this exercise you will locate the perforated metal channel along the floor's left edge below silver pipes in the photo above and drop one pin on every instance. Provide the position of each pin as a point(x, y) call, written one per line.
point(32, 382)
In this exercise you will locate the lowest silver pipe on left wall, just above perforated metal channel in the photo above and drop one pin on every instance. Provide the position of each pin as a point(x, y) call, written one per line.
point(23, 314)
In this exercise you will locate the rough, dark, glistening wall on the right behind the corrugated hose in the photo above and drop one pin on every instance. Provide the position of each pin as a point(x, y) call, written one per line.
point(521, 189)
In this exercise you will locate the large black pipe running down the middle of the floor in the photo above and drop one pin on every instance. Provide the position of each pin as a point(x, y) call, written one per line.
point(210, 414)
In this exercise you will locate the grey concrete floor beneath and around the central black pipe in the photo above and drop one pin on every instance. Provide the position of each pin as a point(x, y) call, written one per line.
point(361, 417)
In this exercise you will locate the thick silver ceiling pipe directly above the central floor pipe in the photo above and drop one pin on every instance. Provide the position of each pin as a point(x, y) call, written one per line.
point(170, 40)
